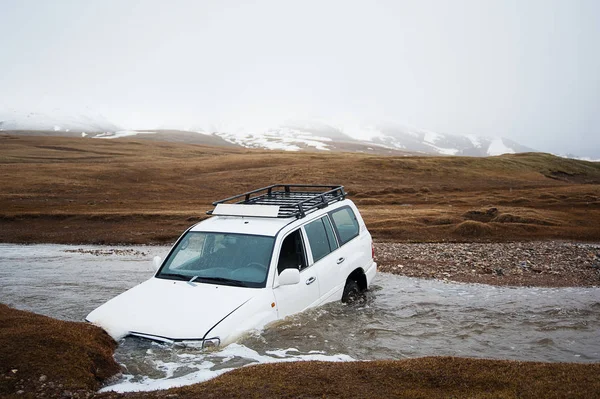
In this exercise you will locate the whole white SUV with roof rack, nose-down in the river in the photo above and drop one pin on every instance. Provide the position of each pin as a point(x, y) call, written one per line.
point(264, 255)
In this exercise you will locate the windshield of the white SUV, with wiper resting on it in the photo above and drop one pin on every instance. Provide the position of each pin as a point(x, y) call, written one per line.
point(220, 258)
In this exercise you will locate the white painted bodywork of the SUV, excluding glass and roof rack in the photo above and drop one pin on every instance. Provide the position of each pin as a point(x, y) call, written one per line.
point(217, 314)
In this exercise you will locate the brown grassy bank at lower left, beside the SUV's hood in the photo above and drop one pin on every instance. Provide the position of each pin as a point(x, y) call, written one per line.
point(76, 355)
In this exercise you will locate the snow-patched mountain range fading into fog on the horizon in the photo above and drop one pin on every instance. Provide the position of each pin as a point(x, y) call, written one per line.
point(290, 136)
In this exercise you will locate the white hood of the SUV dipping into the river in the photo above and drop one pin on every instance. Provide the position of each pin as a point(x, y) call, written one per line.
point(169, 310)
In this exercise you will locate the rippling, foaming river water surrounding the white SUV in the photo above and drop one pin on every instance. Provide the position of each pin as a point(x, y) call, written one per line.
point(402, 318)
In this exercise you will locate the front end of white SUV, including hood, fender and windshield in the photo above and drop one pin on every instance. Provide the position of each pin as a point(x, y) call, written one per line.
point(208, 280)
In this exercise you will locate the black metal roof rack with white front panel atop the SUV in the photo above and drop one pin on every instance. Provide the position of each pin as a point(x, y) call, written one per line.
point(280, 201)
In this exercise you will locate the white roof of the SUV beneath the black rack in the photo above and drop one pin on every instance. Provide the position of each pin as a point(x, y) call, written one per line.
point(265, 226)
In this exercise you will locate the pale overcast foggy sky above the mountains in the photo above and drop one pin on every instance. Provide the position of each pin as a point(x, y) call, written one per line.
point(525, 69)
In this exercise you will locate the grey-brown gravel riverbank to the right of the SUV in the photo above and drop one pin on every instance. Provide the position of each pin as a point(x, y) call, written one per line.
point(544, 264)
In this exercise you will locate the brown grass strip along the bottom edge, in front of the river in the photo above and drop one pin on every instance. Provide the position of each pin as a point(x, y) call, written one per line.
point(430, 377)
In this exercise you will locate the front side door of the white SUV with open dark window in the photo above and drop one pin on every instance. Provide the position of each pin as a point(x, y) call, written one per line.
point(295, 298)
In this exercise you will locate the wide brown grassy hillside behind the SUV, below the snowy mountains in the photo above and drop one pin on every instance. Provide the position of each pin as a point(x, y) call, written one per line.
point(70, 190)
